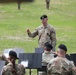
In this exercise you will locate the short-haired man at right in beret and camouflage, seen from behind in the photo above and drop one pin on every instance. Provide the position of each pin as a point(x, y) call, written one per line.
point(61, 65)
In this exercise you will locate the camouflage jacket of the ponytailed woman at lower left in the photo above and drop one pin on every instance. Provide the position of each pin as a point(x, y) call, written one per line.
point(9, 70)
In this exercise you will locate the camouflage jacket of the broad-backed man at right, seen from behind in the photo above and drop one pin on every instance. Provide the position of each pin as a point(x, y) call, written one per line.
point(60, 66)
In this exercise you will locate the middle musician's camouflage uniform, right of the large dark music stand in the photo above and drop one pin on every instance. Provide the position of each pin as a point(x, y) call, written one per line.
point(46, 56)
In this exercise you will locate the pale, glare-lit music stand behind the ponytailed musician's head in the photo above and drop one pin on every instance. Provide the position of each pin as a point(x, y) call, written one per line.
point(17, 50)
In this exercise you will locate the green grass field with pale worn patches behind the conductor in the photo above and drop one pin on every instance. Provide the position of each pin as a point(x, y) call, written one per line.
point(14, 22)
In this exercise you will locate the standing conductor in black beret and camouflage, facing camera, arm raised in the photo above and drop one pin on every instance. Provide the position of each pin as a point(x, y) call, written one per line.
point(45, 32)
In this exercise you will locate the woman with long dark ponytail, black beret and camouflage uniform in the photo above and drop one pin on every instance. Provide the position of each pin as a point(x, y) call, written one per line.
point(12, 68)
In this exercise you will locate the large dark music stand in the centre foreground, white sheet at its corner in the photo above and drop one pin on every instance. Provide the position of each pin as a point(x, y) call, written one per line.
point(34, 60)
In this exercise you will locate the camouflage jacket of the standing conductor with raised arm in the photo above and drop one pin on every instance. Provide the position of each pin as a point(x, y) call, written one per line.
point(45, 34)
